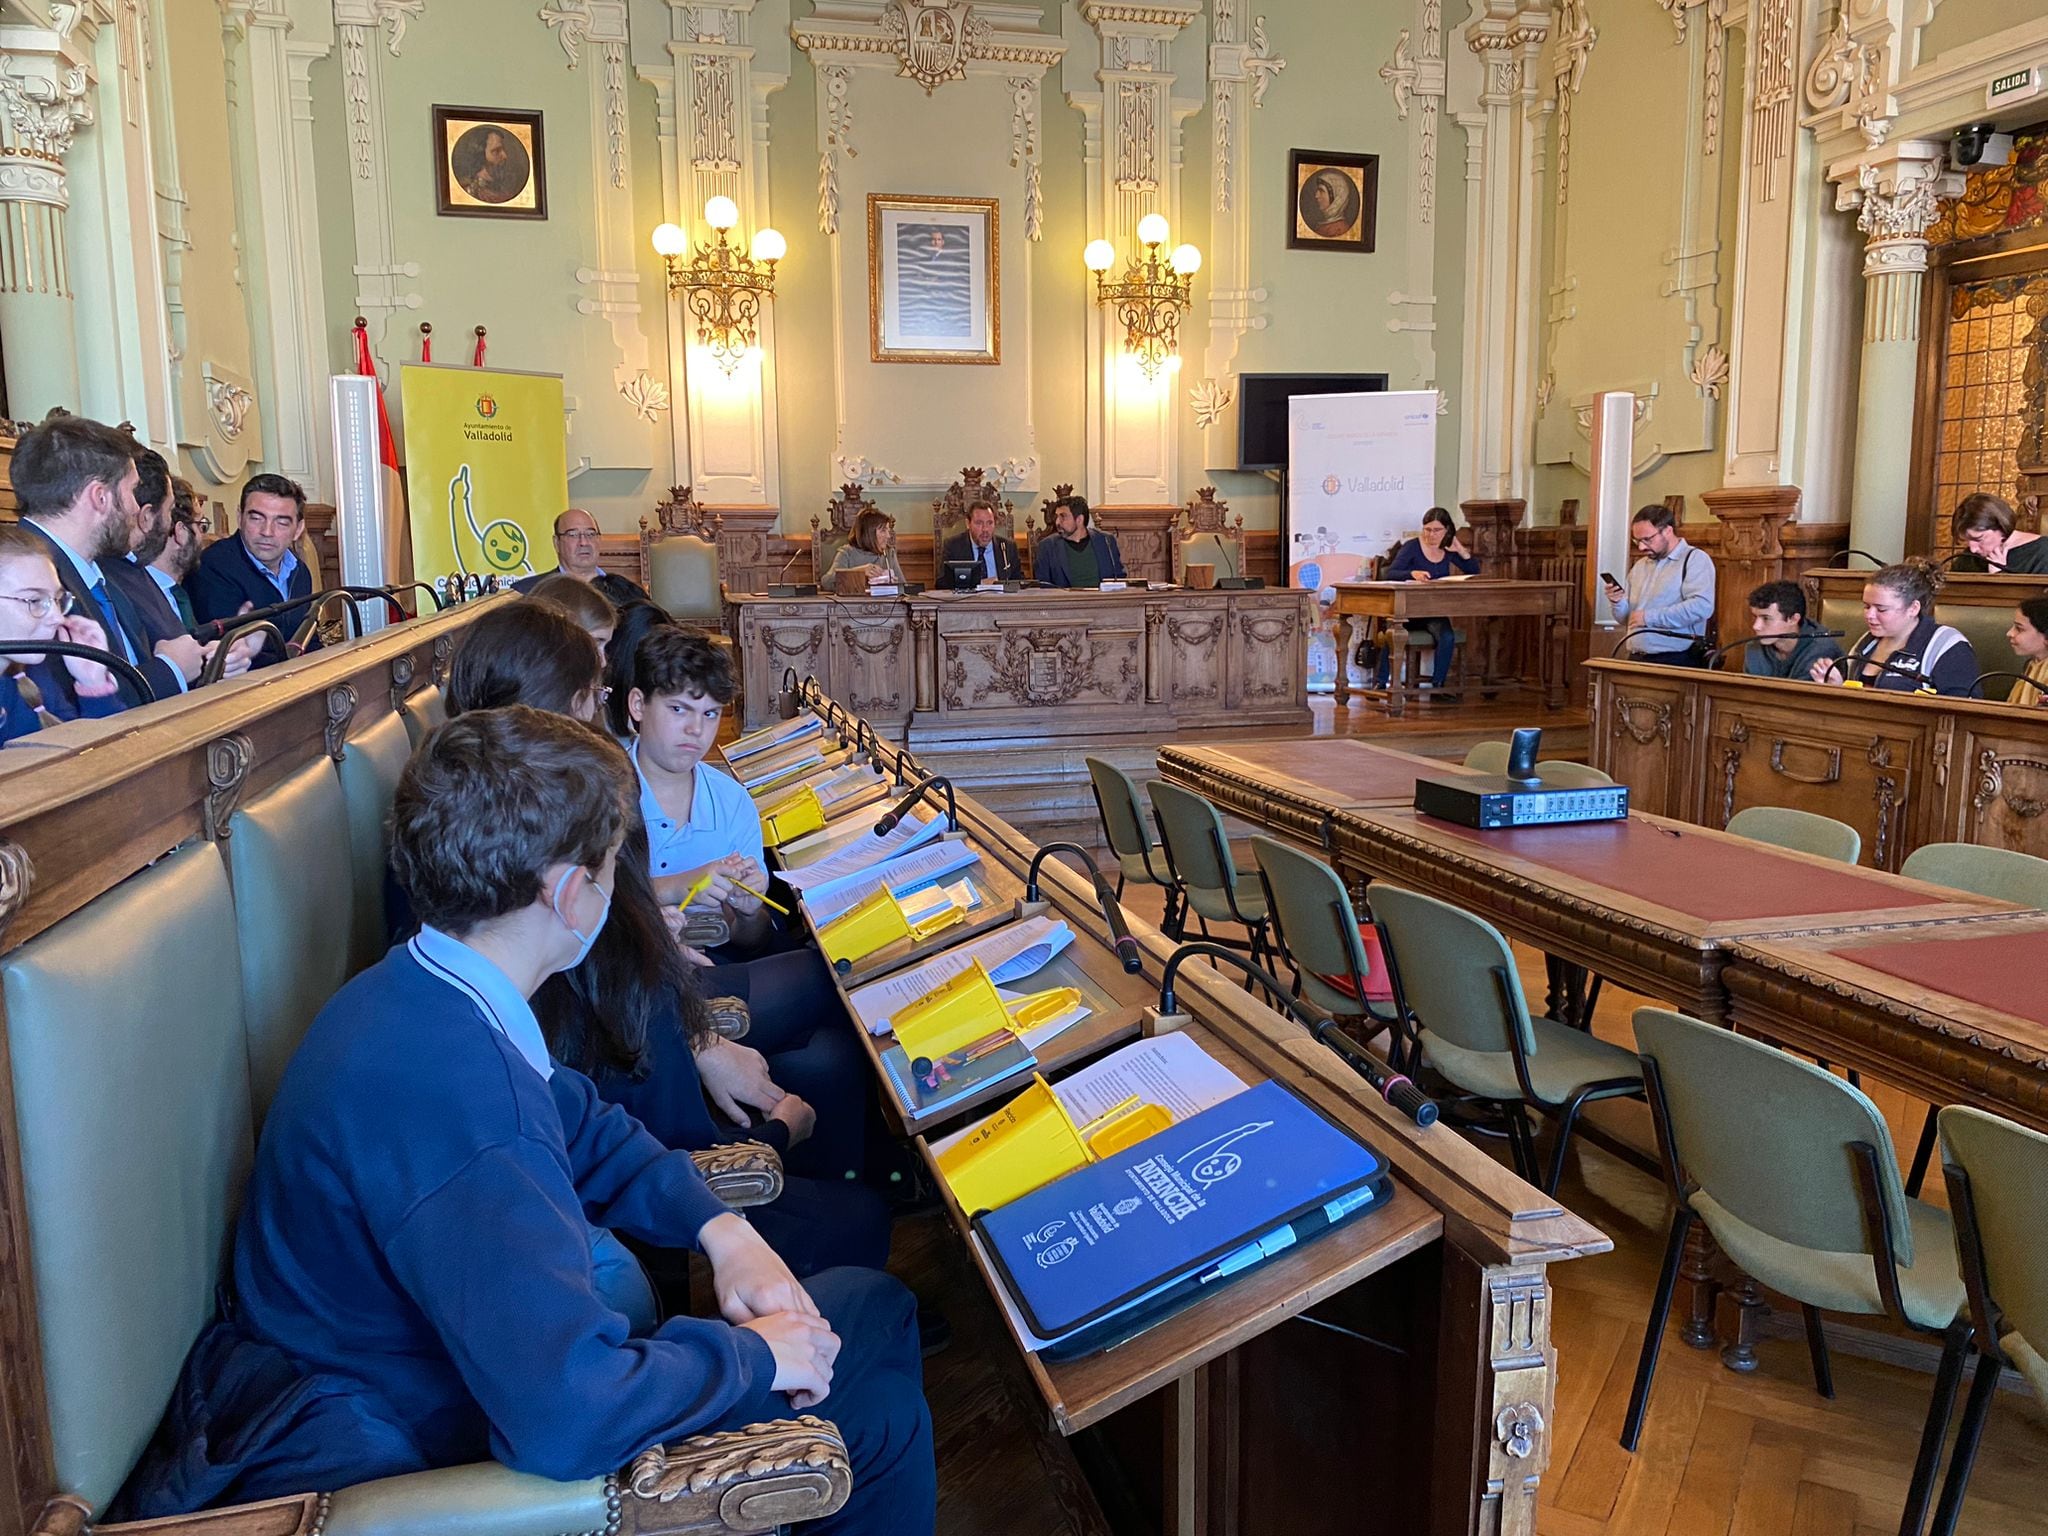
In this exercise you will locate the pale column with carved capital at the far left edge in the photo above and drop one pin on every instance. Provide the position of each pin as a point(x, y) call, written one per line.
point(48, 97)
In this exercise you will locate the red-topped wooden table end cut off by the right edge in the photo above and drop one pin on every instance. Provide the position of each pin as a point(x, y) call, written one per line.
point(1953, 1015)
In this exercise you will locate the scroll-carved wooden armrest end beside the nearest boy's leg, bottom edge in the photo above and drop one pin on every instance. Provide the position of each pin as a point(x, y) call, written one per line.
point(740, 1482)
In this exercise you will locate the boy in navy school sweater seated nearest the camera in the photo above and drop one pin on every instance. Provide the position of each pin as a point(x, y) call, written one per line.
point(423, 1275)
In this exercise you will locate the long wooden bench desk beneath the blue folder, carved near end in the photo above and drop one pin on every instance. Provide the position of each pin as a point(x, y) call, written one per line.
point(1428, 1320)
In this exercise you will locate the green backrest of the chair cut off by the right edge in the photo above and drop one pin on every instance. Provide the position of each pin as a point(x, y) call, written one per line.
point(2008, 1170)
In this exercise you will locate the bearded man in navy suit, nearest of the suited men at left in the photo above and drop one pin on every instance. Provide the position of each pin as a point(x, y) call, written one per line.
point(77, 486)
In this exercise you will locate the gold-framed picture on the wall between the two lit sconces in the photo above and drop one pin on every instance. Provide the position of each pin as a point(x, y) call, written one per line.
point(935, 280)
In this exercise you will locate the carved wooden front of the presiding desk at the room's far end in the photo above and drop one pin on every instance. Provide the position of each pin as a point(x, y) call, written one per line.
point(1035, 665)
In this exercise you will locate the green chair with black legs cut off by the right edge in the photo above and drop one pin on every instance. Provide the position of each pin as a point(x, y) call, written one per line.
point(1998, 1191)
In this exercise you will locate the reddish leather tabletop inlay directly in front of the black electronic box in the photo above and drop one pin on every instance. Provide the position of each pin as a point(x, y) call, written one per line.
point(1713, 880)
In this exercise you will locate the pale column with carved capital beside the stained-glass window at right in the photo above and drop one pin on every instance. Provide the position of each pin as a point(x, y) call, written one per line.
point(1897, 202)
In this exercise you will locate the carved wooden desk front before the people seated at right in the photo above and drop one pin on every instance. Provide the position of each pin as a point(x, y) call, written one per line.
point(1902, 769)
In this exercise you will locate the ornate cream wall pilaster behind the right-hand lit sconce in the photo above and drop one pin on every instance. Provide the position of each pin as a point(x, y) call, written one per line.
point(1134, 169)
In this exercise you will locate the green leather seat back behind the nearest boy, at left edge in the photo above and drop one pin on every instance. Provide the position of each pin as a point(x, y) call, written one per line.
point(134, 1113)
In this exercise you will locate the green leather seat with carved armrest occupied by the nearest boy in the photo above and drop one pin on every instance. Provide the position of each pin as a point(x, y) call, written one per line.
point(136, 1123)
